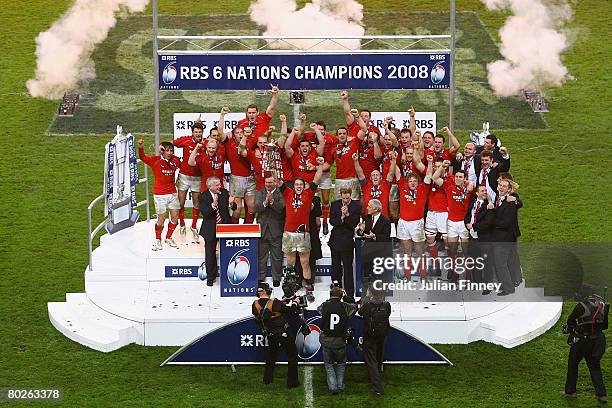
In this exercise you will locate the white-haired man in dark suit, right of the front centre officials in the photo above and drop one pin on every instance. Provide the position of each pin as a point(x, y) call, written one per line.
point(376, 232)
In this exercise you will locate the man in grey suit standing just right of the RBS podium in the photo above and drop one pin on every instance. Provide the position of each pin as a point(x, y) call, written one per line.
point(270, 209)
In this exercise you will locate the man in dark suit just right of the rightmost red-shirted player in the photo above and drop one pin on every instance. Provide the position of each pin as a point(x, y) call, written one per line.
point(479, 222)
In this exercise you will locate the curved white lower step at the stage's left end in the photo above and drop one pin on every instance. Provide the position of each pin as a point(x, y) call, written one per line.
point(84, 322)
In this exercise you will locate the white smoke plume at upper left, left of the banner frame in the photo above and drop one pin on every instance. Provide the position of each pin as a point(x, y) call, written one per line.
point(63, 53)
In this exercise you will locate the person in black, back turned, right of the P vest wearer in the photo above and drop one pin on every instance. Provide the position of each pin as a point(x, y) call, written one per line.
point(375, 311)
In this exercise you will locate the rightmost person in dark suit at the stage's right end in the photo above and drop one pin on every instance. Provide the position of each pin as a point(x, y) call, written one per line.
point(505, 234)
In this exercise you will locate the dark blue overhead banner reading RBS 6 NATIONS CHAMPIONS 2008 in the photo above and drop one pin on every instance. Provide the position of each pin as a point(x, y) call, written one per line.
point(304, 71)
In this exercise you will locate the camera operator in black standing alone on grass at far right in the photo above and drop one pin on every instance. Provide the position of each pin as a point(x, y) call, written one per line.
point(585, 327)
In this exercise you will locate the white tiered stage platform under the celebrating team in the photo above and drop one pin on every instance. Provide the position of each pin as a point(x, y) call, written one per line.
point(129, 299)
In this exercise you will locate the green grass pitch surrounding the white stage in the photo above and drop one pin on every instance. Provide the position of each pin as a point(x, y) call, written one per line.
point(53, 169)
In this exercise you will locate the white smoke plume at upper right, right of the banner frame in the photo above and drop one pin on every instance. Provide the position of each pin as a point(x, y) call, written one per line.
point(532, 43)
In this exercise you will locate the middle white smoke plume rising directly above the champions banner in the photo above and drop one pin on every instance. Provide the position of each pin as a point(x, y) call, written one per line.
point(318, 18)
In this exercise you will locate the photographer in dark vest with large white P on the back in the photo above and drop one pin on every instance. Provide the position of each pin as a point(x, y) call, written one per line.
point(335, 315)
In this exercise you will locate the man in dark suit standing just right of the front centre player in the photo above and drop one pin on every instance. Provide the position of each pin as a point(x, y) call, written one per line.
point(344, 217)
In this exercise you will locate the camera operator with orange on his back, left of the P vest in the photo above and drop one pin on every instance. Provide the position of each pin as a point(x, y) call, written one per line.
point(270, 315)
